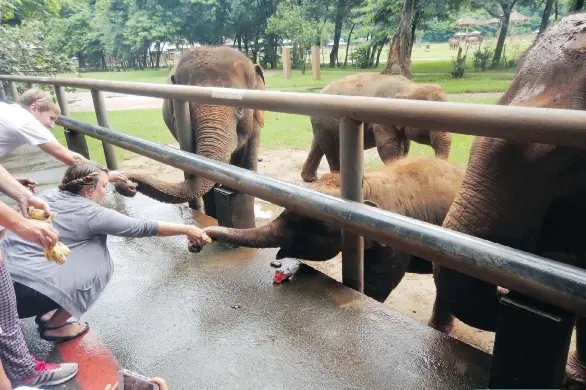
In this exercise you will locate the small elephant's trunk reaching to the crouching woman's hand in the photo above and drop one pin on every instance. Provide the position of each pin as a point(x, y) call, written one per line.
point(271, 235)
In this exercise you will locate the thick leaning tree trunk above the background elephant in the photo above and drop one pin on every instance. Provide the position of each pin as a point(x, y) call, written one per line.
point(399, 61)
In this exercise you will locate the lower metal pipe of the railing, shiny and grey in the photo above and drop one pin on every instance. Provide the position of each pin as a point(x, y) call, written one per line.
point(558, 284)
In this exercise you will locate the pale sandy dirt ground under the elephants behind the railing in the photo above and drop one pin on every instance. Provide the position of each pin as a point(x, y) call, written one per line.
point(415, 294)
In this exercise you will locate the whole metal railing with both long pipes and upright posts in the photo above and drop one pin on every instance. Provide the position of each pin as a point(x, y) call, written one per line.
point(558, 284)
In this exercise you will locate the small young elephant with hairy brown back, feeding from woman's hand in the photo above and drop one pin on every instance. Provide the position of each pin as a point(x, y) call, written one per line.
point(418, 187)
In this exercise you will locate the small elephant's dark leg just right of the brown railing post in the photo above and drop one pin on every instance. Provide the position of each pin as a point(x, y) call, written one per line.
point(384, 268)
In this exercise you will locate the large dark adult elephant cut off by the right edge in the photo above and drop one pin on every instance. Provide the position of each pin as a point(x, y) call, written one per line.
point(527, 196)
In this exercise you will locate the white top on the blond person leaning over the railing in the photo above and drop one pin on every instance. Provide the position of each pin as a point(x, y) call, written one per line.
point(20, 127)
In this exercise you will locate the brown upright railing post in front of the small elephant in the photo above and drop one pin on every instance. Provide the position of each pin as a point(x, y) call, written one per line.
point(351, 162)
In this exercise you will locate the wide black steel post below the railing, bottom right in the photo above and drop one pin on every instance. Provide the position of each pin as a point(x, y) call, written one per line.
point(531, 345)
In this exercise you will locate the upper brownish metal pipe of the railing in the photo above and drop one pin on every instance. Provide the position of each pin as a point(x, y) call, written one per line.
point(522, 124)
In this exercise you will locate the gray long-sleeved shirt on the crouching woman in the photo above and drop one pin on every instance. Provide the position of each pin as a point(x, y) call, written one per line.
point(83, 226)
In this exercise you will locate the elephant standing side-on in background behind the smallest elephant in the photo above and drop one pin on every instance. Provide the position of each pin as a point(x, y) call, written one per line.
point(391, 141)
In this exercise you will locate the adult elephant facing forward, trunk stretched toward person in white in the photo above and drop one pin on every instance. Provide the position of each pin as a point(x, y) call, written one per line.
point(222, 133)
